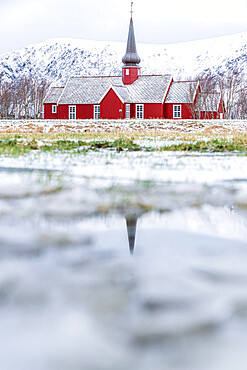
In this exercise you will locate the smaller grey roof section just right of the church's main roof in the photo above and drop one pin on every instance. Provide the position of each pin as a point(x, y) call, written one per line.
point(182, 92)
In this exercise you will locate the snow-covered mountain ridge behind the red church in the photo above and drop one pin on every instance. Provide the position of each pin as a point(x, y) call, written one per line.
point(57, 59)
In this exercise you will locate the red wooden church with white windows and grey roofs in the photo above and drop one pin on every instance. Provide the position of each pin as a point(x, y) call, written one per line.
point(131, 95)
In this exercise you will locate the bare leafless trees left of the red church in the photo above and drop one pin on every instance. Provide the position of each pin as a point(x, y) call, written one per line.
point(23, 97)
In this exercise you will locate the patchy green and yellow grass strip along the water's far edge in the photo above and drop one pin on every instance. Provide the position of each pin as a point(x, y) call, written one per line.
point(18, 144)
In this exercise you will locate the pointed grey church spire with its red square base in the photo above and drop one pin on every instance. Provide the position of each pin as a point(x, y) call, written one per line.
point(131, 60)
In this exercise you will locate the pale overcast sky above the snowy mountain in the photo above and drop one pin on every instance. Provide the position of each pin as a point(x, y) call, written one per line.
point(23, 22)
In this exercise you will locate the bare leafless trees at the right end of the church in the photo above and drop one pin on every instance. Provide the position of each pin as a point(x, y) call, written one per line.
point(232, 86)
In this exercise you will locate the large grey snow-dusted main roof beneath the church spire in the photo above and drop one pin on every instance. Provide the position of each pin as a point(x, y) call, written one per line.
point(91, 90)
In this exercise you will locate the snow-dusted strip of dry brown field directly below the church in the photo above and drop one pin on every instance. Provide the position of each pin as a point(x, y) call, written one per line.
point(81, 126)
